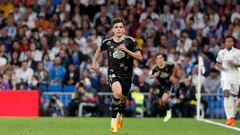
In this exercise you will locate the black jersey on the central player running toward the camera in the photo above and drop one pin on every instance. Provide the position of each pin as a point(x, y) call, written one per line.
point(120, 63)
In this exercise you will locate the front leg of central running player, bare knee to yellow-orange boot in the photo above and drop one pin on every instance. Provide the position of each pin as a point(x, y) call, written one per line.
point(117, 92)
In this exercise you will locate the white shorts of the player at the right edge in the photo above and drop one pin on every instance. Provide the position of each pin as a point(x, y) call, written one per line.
point(232, 87)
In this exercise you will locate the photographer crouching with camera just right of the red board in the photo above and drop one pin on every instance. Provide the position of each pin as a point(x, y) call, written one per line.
point(54, 107)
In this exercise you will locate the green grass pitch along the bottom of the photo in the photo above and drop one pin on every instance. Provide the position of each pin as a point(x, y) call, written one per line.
point(100, 126)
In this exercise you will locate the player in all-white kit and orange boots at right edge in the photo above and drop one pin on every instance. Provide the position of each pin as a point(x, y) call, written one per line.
point(228, 61)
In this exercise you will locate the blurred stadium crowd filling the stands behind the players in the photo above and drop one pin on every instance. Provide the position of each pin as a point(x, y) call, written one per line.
point(53, 42)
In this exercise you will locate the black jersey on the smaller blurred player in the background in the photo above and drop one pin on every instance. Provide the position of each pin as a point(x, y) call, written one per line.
point(164, 73)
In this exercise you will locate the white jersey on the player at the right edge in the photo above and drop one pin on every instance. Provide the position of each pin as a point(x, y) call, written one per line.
point(230, 73)
